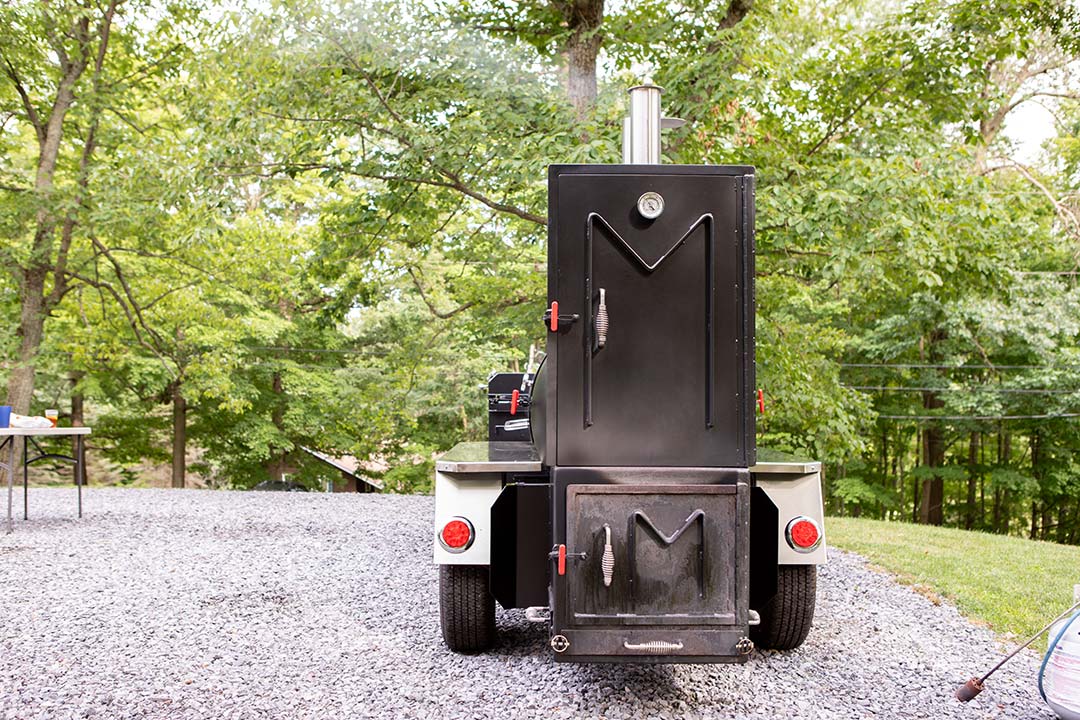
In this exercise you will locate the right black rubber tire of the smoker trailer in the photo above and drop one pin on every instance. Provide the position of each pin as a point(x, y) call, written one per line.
point(788, 617)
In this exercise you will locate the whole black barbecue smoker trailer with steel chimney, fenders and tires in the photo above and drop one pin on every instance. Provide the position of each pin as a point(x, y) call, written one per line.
point(620, 498)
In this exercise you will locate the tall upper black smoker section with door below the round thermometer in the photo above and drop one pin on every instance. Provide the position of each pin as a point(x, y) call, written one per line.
point(673, 384)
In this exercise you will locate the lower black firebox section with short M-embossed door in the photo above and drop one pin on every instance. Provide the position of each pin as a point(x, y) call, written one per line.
point(674, 586)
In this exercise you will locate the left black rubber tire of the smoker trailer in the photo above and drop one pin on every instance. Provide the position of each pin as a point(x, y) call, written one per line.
point(466, 607)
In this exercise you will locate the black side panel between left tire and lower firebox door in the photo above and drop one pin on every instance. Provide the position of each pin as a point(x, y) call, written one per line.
point(521, 540)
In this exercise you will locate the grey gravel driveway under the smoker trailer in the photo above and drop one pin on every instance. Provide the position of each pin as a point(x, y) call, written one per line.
point(190, 604)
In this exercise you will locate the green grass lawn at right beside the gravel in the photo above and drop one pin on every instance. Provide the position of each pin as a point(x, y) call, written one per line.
point(1014, 586)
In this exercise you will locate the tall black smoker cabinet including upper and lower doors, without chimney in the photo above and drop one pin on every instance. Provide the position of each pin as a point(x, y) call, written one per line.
point(645, 410)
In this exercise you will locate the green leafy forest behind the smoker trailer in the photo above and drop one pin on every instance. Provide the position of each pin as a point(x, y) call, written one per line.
point(233, 232)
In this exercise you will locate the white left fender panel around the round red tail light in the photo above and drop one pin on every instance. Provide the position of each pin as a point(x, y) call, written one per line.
point(468, 497)
